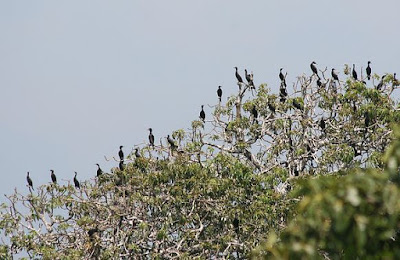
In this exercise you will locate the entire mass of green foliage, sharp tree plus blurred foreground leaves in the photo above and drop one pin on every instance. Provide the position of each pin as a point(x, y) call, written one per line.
point(263, 168)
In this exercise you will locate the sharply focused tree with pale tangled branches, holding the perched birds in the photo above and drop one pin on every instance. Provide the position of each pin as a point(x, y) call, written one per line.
point(216, 190)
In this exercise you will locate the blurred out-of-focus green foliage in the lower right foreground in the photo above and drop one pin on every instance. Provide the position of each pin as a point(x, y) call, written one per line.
point(355, 214)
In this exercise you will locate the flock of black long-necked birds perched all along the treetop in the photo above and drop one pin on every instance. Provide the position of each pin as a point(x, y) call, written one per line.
point(249, 78)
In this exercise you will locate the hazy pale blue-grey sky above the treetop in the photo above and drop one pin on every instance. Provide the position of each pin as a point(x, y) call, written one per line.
point(80, 78)
